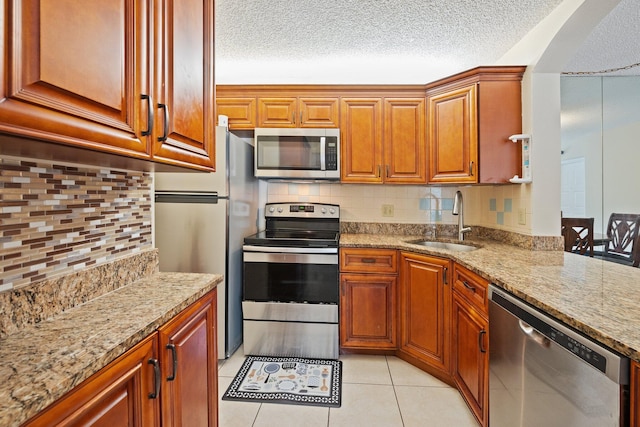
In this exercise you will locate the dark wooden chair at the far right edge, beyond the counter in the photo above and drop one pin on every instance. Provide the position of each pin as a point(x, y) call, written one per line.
point(622, 231)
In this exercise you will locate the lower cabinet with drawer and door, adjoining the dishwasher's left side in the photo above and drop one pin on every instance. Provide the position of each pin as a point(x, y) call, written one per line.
point(470, 354)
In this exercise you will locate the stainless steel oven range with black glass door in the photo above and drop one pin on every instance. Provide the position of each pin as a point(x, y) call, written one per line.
point(291, 282)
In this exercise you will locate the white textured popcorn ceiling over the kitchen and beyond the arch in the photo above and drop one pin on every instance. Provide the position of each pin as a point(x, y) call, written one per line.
point(387, 41)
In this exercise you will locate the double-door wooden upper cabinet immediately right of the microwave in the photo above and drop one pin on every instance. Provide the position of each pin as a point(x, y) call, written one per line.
point(383, 140)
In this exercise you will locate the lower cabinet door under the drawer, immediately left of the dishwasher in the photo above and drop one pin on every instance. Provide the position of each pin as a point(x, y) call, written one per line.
point(470, 361)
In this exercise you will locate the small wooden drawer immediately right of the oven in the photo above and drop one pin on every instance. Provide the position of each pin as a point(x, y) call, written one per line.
point(368, 260)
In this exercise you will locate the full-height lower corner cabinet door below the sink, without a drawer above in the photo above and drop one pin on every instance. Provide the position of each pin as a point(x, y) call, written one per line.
point(425, 309)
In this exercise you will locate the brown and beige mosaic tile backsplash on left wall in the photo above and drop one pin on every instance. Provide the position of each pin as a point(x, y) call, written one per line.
point(56, 219)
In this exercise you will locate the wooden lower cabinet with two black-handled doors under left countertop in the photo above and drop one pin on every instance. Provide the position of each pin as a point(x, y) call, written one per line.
point(151, 384)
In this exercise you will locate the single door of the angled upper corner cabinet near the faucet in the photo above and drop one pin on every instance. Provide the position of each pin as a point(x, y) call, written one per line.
point(453, 136)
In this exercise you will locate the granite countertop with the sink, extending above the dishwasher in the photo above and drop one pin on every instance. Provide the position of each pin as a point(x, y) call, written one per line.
point(599, 298)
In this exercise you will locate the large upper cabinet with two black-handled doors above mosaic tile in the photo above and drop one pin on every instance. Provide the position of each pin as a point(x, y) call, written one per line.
point(87, 77)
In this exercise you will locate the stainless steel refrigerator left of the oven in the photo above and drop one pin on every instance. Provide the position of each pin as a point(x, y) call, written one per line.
point(201, 220)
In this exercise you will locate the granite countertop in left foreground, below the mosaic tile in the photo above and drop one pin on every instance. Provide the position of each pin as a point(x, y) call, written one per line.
point(40, 363)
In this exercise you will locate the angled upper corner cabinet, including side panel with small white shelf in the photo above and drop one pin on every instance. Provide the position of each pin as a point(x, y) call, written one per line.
point(470, 118)
